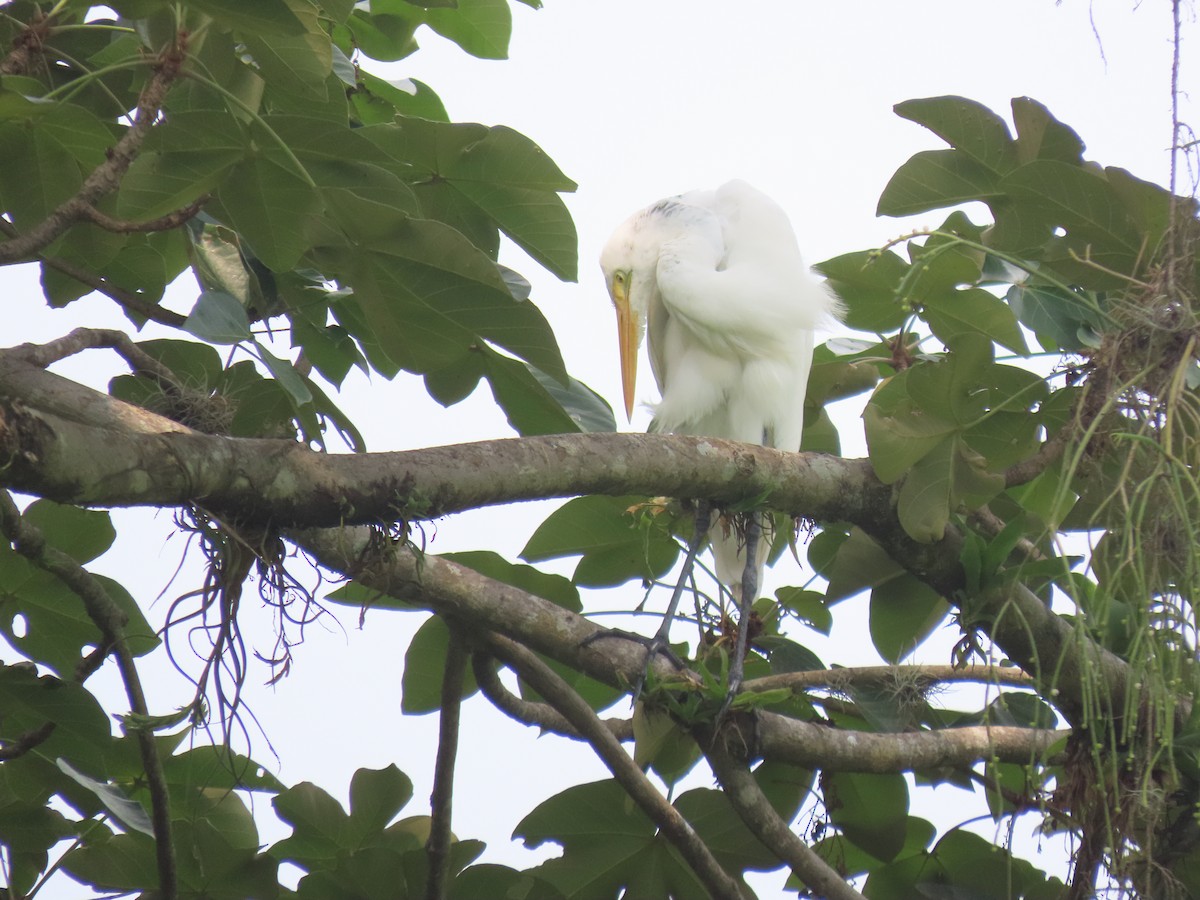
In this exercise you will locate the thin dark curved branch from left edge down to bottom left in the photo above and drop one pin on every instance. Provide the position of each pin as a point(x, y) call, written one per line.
point(107, 616)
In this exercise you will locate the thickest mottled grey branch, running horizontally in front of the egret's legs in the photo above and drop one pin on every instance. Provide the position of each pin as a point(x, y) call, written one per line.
point(50, 446)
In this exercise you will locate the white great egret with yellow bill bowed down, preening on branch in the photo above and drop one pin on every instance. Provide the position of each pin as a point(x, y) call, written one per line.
point(718, 281)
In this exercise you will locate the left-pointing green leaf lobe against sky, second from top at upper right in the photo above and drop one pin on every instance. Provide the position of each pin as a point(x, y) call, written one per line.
point(935, 179)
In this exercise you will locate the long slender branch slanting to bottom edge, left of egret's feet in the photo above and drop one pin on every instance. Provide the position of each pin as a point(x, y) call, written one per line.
point(574, 709)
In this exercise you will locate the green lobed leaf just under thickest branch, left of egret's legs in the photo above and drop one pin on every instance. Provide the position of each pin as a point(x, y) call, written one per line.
point(613, 547)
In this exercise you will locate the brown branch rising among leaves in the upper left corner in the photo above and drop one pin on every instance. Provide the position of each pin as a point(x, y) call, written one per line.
point(107, 177)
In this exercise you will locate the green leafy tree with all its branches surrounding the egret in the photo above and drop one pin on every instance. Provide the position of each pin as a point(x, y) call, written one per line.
point(1030, 377)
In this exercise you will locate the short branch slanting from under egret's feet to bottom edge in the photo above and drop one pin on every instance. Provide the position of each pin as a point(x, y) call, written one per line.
point(755, 811)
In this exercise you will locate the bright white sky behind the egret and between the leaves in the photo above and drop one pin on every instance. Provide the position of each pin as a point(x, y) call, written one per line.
point(638, 100)
